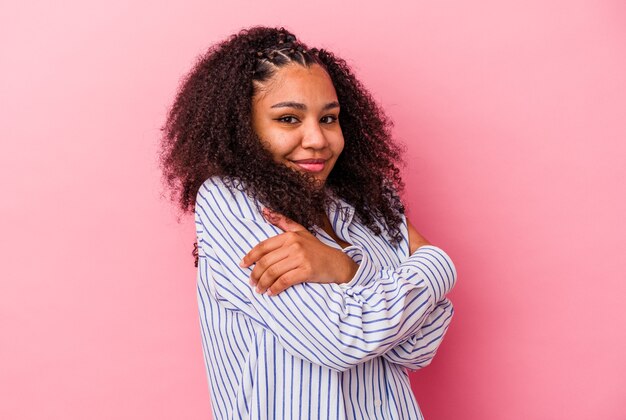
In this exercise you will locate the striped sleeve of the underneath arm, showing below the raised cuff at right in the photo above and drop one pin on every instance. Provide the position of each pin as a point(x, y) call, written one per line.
point(419, 350)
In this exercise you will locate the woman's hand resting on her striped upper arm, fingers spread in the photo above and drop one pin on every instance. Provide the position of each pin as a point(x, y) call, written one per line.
point(293, 257)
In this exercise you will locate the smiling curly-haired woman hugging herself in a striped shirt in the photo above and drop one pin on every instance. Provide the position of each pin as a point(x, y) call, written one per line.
point(315, 292)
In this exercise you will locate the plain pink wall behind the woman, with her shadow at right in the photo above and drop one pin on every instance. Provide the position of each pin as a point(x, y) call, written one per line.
point(514, 116)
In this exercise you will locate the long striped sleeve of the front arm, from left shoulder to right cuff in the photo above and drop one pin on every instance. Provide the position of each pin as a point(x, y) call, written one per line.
point(337, 326)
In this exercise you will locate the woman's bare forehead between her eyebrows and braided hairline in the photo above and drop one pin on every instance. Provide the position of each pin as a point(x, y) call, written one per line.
point(298, 83)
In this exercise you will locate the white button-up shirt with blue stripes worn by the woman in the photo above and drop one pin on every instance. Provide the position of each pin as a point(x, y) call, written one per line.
point(315, 351)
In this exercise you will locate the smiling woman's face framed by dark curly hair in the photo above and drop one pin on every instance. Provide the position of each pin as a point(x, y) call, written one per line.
point(295, 114)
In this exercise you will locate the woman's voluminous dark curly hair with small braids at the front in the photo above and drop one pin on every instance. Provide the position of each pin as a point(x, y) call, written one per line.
point(209, 132)
